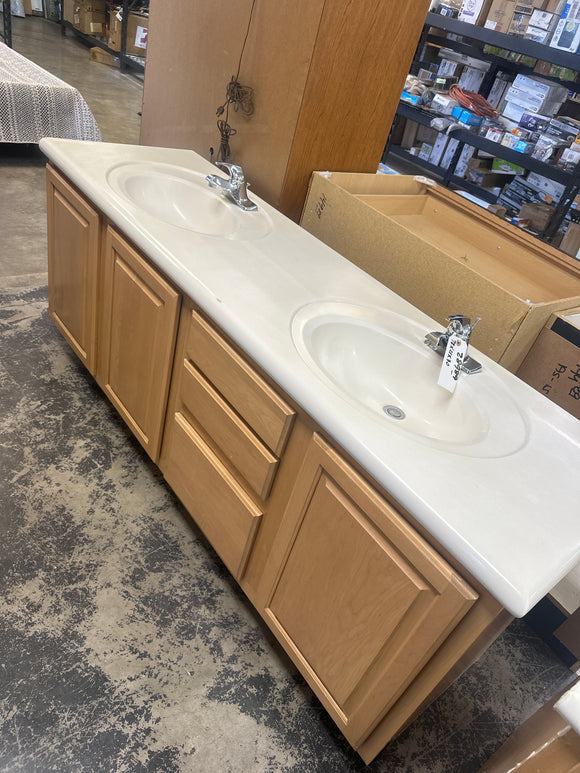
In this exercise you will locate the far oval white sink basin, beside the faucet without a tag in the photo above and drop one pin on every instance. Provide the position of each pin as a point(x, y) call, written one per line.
point(182, 198)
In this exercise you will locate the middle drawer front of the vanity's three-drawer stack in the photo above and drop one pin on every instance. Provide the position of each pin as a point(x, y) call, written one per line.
point(237, 442)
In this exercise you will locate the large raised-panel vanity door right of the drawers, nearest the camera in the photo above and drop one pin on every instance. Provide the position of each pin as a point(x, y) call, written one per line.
point(357, 598)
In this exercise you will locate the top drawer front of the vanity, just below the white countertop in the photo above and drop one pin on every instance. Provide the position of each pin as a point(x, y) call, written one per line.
point(248, 394)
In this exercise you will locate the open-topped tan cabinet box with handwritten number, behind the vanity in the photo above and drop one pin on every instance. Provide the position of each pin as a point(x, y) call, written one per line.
point(445, 255)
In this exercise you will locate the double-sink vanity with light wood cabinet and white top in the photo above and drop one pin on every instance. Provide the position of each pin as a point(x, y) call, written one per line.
point(385, 529)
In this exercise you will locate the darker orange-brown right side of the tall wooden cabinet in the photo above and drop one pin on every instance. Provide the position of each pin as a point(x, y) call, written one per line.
point(363, 53)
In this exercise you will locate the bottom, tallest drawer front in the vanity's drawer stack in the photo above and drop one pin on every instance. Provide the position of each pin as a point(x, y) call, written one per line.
point(216, 501)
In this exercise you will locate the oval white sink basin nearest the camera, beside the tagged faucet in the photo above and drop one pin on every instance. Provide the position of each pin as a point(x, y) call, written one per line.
point(377, 361)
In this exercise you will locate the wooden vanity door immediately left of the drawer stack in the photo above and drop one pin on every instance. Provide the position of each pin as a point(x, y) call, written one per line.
point(138, 330)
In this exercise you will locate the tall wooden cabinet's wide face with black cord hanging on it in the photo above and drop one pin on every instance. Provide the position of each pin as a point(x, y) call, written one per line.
point(182, 91)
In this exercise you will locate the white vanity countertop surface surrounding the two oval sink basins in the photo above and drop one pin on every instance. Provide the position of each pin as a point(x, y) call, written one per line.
point(512, 521)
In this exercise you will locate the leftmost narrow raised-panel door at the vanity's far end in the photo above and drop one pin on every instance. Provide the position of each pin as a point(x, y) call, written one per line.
point(73, 260)
